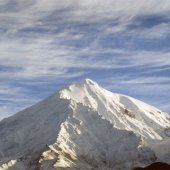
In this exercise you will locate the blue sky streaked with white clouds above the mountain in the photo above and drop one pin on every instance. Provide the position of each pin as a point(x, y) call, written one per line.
point(123, 45)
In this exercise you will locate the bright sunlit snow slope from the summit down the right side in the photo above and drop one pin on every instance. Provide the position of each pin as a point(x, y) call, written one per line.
point(122, 111)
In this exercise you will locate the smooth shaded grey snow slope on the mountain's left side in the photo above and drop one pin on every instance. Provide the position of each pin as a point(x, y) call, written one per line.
point(25, 135)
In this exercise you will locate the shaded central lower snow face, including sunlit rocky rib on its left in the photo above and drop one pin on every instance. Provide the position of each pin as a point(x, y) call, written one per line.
point(86, 141)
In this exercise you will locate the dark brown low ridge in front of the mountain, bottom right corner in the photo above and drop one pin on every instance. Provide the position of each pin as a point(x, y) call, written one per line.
point(156, 166)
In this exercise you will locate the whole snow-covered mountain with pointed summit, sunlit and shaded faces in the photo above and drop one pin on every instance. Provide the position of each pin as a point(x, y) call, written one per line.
point(85, 127)
